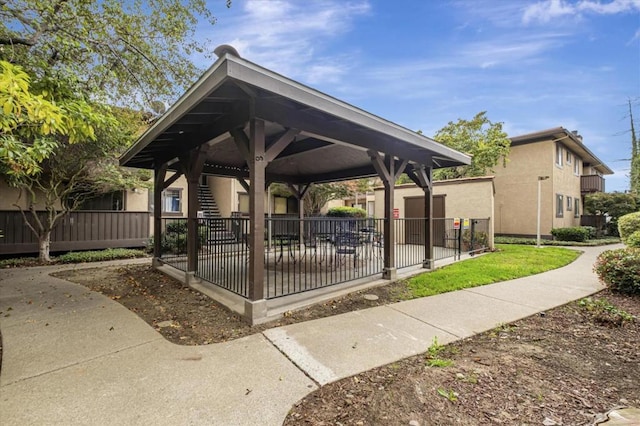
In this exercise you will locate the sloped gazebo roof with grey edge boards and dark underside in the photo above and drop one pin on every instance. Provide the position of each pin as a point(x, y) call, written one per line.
point(332, 139)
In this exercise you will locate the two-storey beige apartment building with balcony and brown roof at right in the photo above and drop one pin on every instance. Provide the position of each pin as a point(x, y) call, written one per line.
point(560, 164)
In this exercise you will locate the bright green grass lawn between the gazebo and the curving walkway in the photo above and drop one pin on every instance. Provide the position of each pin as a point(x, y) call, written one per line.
point(511, 261)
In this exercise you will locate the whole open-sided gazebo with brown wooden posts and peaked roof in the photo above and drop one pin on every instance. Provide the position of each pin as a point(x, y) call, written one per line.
point(242, 121)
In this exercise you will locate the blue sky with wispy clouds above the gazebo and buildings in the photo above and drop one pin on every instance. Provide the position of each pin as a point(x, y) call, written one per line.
point(532, 65)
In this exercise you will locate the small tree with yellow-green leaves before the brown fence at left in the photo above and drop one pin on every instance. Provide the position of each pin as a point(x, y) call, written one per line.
point(57, 148)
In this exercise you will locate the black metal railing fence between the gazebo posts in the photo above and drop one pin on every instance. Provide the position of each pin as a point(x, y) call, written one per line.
point(311, 253)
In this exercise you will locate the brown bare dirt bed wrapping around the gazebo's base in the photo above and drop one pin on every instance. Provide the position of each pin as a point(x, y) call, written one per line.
point(187, 317)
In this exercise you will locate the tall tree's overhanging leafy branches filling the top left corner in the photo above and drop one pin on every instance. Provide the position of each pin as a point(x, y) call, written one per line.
point(128, 52)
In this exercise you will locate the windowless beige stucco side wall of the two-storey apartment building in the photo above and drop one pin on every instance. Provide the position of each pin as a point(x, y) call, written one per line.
point(517, 190)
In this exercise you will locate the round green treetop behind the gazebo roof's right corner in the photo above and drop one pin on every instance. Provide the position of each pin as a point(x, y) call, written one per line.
point(479, 137)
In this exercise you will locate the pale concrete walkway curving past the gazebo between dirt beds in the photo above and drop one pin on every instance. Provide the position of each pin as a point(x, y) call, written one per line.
point(72, 356)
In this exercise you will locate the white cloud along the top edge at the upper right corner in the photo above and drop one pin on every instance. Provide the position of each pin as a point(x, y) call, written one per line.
point(549, 10)
